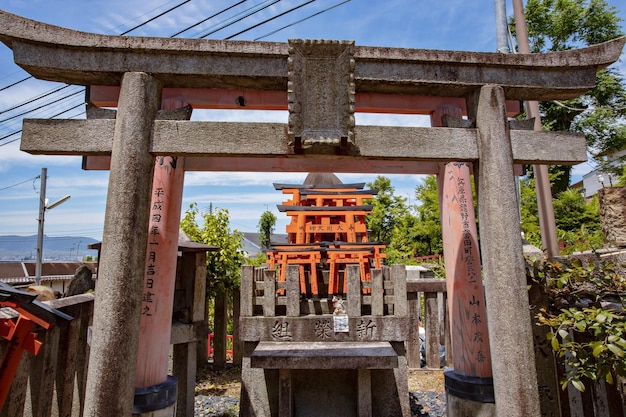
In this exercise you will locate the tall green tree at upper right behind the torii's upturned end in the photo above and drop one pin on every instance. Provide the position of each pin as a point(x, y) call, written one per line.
point(557, 25)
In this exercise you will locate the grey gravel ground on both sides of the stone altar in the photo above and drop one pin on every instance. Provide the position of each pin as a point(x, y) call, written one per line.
point(423, 404)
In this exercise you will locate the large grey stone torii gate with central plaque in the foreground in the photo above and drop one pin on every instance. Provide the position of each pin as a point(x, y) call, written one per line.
point(322, 84)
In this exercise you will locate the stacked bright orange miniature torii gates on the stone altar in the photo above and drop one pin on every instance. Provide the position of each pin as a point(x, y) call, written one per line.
point(327, 231)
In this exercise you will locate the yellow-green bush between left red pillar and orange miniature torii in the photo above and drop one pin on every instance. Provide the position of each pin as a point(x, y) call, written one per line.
point(223, 266)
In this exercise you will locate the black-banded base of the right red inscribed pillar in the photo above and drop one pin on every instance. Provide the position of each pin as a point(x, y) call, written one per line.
point(467, 396)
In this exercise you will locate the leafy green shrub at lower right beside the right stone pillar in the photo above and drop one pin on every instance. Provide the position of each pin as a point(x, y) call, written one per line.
point(587, 334)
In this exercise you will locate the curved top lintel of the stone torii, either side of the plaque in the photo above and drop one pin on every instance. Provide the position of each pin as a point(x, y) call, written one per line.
point(58, 54)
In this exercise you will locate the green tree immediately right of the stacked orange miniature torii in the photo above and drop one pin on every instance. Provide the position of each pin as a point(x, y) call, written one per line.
point(388, 208)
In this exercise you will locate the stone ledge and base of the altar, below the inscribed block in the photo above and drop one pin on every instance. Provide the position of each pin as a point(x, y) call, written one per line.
point(347, 379)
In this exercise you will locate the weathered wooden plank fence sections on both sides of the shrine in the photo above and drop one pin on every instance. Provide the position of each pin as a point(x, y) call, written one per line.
point(53, 382)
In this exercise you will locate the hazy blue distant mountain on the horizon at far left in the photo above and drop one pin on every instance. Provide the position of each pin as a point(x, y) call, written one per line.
point(62, 248)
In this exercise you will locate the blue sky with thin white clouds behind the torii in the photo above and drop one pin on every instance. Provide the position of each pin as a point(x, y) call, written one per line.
point(448, 24)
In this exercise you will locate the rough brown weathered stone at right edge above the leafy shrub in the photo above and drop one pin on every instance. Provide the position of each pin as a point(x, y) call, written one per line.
point(613, 214)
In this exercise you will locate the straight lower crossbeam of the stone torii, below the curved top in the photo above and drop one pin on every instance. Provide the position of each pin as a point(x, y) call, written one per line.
point(215, 146)
